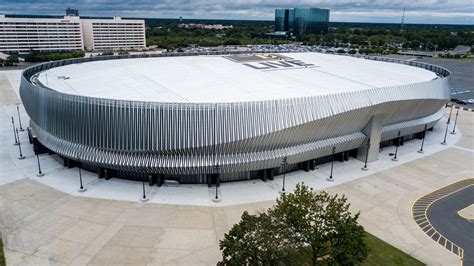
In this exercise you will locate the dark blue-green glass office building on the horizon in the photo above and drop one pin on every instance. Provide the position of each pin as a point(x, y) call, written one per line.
point(301, 21)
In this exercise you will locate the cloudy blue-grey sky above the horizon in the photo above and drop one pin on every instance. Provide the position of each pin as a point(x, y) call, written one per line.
point(389, 11)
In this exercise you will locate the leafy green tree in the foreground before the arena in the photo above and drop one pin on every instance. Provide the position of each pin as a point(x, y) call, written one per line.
point(302, 228)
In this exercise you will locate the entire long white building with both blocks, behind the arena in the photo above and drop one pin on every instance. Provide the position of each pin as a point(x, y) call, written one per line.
point(70, 33)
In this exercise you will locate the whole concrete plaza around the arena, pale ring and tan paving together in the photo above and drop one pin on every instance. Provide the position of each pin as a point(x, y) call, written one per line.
point(45, 221)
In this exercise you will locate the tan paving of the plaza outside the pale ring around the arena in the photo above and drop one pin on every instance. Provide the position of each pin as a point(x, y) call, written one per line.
point(44, 226)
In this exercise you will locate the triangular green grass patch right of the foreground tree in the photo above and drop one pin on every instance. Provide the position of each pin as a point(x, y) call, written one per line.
point(382, 253)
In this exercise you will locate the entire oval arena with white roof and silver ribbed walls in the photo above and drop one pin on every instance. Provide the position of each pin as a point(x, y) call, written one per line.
point(212, 118)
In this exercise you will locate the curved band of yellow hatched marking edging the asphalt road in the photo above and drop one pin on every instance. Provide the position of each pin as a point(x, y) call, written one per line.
point(422, 204)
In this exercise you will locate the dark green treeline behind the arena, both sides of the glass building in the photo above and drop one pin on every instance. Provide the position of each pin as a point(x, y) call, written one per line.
point(165, 34)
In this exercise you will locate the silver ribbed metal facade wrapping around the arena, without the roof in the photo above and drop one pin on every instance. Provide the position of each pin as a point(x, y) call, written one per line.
point(192, 139)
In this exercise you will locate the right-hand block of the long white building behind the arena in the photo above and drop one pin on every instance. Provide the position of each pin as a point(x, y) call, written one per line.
point(113, 34)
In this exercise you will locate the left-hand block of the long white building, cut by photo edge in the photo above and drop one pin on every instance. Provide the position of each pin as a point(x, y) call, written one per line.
point(41, 34)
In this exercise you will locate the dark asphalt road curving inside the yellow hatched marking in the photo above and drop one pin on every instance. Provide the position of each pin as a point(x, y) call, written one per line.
point(443, 216)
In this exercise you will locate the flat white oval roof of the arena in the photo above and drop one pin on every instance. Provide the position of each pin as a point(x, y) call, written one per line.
point(199, 79)
